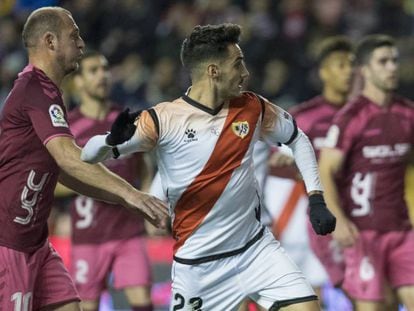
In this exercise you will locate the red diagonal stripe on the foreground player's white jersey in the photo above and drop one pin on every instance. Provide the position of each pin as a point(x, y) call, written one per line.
point(202, 194)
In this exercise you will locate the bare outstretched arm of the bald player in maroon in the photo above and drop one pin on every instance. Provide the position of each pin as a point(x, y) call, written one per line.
point(98, 182)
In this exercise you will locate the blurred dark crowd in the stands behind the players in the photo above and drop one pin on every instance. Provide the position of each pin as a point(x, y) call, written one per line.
point(142, 39)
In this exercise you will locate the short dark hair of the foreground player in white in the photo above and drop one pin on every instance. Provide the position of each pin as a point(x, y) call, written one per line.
point(208, 42)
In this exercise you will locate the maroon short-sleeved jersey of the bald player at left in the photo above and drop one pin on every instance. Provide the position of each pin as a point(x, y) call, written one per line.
point(32, 115)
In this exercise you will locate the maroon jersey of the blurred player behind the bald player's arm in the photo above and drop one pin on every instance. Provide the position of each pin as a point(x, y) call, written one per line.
point(95, 221)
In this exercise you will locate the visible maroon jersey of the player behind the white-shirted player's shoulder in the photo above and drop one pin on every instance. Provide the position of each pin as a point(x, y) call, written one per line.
point(314, 117)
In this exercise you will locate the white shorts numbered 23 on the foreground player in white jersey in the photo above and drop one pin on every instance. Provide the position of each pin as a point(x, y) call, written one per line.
point(264, 273)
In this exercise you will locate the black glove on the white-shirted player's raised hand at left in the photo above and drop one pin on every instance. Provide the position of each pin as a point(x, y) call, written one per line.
point(123, 127)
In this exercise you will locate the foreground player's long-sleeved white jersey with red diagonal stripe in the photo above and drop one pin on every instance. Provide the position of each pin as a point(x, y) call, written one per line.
point(204, 158)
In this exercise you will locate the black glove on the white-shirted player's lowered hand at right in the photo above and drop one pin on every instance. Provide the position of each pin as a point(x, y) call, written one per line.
point(323, 222)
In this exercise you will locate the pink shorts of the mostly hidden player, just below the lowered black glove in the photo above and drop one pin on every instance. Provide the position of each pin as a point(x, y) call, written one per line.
point(329, 254)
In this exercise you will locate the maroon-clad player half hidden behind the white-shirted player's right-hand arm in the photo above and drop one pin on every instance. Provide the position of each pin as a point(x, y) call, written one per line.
point(315, 116)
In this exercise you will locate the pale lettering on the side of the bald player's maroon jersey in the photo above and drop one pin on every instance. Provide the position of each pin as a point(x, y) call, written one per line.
point(28, 198)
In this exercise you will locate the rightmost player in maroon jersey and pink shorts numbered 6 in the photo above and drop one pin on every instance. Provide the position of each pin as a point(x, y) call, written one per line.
point(368, 145)
